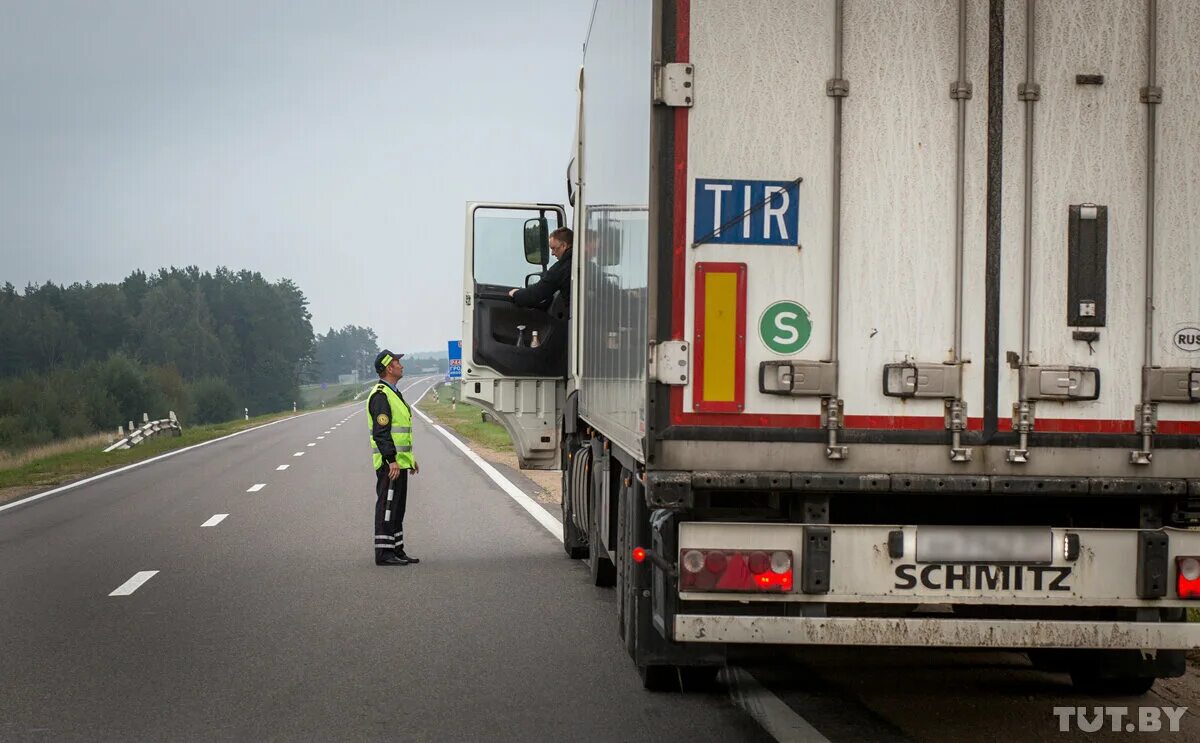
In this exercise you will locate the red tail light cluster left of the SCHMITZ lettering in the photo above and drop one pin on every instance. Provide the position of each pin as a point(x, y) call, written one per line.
point(736, 571)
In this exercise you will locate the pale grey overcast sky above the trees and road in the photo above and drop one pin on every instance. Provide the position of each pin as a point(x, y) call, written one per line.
point(331, 143)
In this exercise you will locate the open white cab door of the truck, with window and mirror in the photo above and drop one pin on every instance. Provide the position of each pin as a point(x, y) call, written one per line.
point(505, 371)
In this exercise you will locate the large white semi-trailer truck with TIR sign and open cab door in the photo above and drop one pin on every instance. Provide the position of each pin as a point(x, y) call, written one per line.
point(884, 329)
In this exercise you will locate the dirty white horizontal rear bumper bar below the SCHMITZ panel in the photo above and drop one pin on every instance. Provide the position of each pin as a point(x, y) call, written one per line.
point(945, 633)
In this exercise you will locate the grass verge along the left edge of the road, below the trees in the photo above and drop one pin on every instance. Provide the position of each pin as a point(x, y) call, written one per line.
point(62, 466)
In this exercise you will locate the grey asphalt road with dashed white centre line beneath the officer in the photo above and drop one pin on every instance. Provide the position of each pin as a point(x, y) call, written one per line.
point(275, 625)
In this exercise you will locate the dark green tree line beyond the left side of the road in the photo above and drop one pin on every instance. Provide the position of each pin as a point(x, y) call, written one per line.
point(83, 358)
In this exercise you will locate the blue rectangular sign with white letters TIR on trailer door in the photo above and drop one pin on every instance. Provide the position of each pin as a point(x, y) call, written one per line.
point(747, 212)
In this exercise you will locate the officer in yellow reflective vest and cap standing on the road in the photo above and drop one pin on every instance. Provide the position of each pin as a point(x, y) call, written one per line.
point(392, 453)
